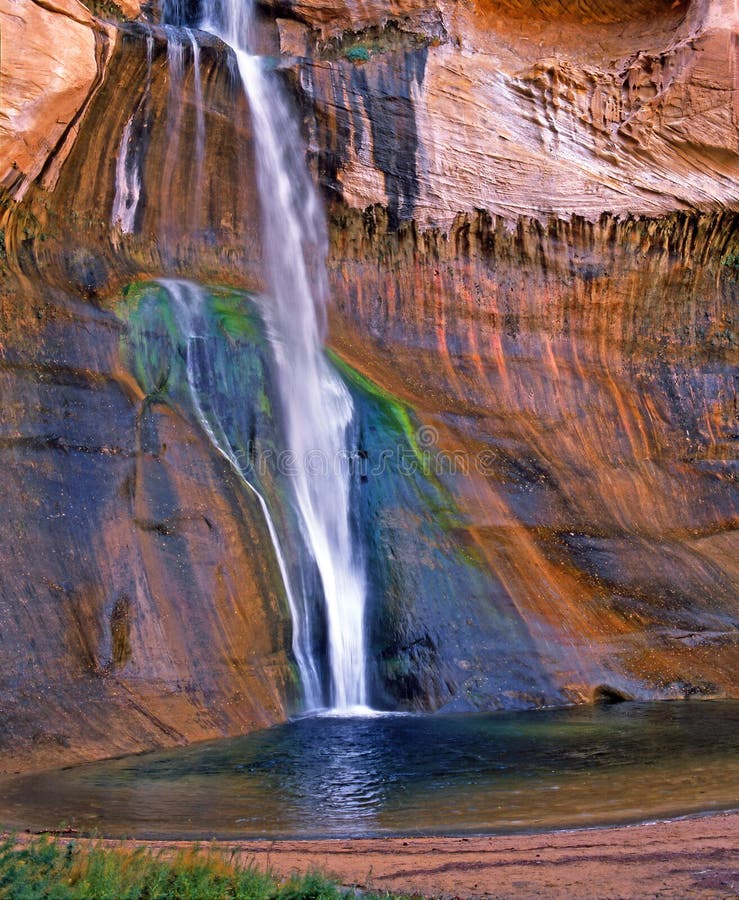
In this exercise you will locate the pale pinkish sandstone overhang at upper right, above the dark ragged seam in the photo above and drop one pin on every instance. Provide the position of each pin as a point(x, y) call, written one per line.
point(521, 109)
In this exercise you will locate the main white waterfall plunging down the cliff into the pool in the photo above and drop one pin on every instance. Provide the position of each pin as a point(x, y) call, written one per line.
point(316, 405)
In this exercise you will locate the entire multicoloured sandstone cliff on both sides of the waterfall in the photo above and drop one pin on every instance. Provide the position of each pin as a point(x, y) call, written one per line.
point(534, 256)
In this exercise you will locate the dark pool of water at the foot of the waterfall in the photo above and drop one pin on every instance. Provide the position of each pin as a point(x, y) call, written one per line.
point(406, 775)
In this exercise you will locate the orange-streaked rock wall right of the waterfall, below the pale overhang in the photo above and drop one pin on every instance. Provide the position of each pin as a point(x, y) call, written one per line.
point(581, 415)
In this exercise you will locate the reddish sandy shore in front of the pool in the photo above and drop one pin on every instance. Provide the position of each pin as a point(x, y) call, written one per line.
point(693, 857)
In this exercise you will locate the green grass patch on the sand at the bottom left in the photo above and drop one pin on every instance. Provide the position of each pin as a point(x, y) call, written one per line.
point(60, 870)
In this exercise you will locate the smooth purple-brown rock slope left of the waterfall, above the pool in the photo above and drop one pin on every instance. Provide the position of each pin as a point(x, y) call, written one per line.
point(136, 604)
